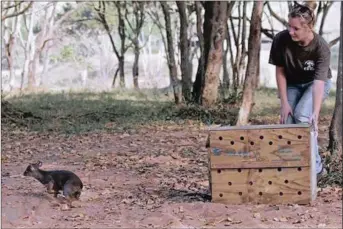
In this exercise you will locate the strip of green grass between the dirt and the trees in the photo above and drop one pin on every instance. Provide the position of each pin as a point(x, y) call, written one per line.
point(78, 112)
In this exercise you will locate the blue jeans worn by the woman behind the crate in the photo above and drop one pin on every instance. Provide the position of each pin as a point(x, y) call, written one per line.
point(300, 99)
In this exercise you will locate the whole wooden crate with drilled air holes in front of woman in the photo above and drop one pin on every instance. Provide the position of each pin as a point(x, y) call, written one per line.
point(270, 164)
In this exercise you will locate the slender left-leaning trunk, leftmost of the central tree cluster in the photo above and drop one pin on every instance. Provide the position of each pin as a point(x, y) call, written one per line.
point(171, 54)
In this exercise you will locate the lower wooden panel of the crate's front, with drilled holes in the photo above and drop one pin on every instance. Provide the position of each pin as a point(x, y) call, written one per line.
point(298, 181)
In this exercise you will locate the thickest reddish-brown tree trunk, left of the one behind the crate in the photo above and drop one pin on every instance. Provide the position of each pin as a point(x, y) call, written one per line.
point(217, 13)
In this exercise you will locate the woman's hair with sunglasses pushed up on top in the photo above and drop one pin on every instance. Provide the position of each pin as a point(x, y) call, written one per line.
point(304, 11)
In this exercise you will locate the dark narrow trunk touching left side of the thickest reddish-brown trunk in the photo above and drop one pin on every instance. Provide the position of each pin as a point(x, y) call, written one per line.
point(199, 78)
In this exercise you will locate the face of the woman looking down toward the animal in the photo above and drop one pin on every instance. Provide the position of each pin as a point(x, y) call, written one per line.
point(298, 30)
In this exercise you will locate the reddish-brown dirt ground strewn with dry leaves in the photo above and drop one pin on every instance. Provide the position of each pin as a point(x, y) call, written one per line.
point(151, 177)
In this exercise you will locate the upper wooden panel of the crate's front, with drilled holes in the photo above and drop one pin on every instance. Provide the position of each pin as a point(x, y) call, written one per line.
point(228, 150)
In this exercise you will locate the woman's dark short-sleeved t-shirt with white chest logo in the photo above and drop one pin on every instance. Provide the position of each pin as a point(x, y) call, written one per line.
point(301, 64)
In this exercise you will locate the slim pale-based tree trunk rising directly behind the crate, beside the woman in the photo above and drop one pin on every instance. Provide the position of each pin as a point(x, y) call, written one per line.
point(254, 44)
